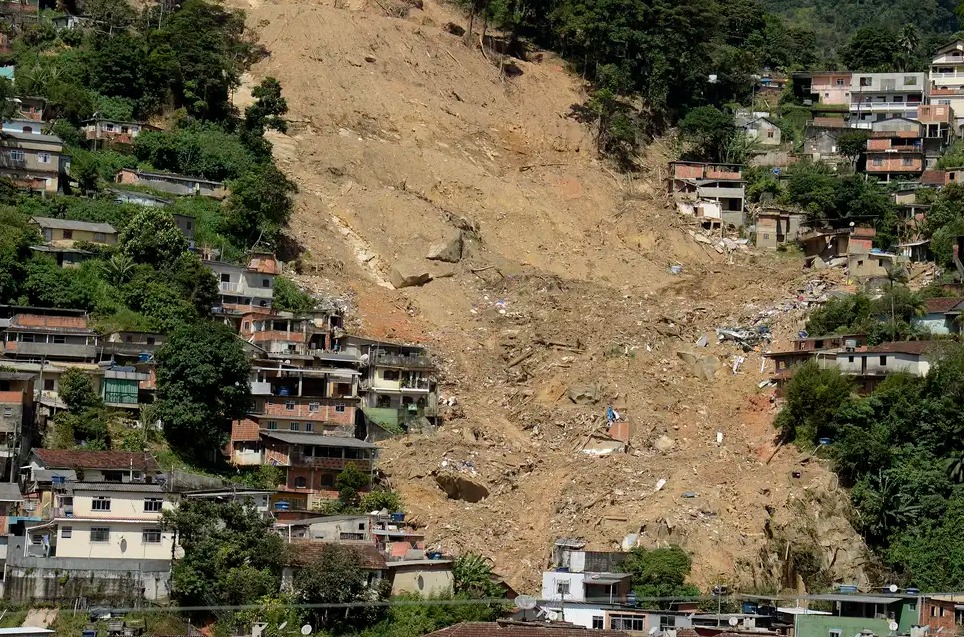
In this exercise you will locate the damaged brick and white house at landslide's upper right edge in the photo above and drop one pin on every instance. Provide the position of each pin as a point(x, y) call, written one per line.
point(719, 183)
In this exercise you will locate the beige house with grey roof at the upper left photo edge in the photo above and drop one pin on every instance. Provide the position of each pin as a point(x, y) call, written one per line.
point(33, 162)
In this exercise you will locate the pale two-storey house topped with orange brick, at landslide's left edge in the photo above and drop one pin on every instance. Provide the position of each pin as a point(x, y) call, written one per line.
point(245, 288)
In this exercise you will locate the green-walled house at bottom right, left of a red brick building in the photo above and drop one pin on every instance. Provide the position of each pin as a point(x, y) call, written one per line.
point(853, 614)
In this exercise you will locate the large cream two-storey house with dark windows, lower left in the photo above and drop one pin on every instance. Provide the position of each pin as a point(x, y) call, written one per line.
point(106, 520)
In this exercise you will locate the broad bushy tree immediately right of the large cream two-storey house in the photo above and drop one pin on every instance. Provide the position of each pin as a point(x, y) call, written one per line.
point(231, 555)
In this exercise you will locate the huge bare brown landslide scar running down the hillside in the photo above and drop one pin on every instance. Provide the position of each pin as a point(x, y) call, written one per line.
point(401, 134)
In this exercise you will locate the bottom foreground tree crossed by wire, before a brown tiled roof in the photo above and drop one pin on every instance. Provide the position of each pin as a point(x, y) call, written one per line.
point(337, 576)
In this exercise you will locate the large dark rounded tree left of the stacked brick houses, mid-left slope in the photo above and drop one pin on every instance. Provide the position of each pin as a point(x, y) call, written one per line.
point(202, 385)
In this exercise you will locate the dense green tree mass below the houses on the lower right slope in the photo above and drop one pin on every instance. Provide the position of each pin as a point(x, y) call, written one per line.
point(900, 451)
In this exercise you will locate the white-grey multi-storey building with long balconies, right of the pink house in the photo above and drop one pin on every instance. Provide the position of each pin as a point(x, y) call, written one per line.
point(878, 96)
